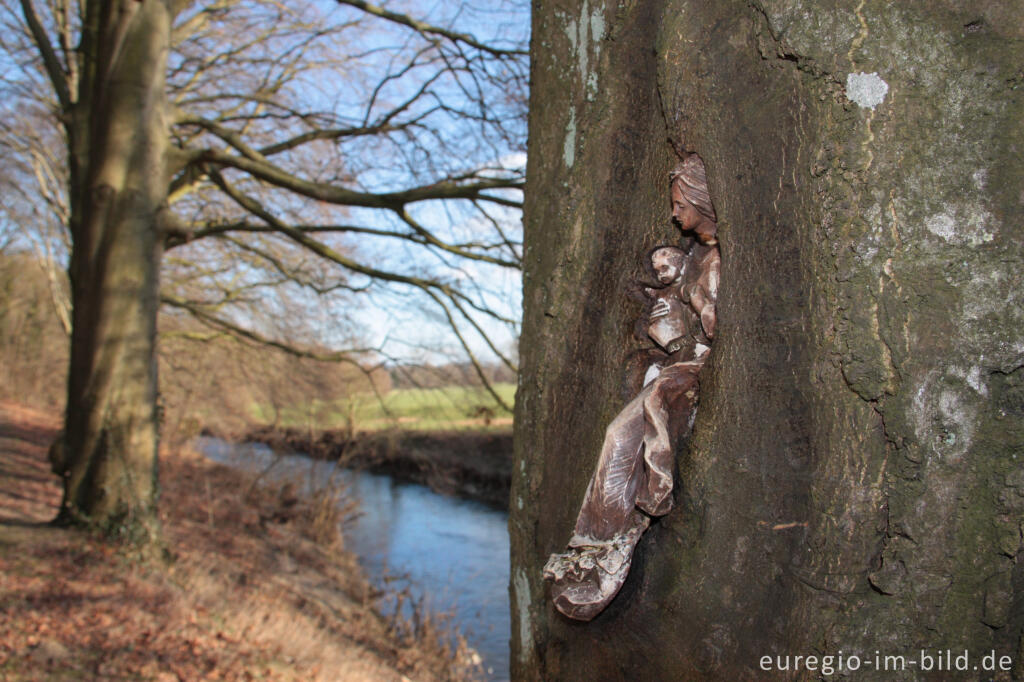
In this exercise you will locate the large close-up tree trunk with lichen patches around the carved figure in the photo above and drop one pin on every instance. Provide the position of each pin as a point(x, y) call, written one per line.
point(852, 483)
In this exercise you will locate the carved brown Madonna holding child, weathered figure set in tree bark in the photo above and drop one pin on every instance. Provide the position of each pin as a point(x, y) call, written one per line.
point(634, 478)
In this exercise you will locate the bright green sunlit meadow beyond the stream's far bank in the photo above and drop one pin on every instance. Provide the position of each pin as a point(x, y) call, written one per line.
point(452, 408)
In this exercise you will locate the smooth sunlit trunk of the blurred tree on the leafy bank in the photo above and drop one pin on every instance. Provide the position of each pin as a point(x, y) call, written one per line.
point(118, 136)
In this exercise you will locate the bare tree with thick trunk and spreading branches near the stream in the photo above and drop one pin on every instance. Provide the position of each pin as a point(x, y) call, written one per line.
point(333, 149)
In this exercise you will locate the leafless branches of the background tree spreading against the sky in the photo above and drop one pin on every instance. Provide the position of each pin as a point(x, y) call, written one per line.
point(345, 151)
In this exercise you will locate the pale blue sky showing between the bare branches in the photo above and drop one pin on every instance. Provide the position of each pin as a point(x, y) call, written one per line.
point(409, 322)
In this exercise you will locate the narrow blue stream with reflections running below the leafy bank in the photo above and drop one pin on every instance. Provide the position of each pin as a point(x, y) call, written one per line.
point(455, 551)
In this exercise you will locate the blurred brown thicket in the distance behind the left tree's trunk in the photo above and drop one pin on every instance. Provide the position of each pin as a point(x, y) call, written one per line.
point(207, 378)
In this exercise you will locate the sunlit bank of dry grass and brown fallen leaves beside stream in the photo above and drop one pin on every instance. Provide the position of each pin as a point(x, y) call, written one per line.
point(257, 587)
